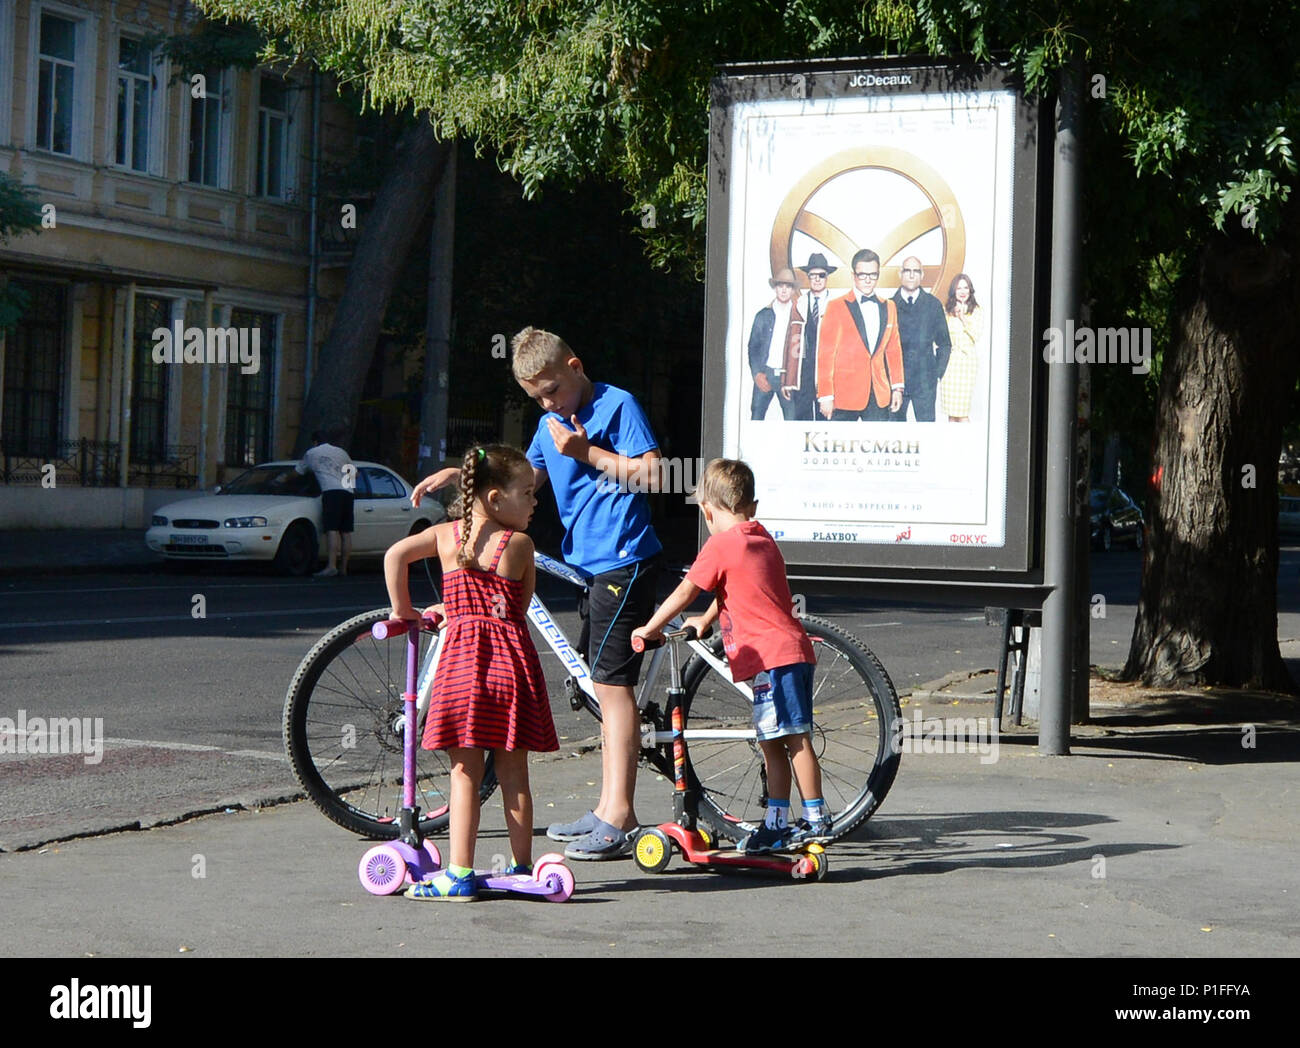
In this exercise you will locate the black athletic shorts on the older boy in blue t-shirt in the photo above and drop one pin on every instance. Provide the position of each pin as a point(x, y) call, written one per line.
point(614, 605)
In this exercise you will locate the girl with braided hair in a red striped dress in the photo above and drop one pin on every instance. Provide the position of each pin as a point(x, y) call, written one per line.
point(488, 691)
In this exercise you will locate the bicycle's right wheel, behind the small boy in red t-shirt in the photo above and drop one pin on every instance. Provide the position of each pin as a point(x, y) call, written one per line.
point(856, 721)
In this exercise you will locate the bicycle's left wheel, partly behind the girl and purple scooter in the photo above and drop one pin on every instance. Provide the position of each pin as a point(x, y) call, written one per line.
point(344, 726)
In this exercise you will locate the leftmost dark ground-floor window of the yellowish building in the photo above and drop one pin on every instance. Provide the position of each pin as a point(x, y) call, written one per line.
point(34, 374)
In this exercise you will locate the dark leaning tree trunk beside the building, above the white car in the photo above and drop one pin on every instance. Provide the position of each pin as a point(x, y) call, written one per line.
point(382, 252)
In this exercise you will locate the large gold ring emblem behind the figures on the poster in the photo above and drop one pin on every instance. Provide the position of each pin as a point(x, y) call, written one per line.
point(943, 215)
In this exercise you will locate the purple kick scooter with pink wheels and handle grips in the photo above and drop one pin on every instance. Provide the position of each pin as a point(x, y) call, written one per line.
point(389, 868)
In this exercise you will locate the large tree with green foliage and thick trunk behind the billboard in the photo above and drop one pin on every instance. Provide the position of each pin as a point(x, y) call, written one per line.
point(1189, 161)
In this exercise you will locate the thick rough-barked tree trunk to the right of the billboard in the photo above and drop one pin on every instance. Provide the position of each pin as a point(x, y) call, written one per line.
point(1208, 608)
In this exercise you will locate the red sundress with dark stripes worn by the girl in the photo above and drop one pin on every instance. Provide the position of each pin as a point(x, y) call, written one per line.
point(488, 691)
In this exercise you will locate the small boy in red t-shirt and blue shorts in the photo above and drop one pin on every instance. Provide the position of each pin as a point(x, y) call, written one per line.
point(765, 643)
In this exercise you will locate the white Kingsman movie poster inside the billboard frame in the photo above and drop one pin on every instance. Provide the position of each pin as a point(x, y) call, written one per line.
point(872, 397)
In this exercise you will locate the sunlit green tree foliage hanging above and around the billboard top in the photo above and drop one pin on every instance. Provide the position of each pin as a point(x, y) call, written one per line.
point(1201, 102)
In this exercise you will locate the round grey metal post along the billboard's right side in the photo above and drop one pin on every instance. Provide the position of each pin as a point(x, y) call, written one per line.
point(1059, 609)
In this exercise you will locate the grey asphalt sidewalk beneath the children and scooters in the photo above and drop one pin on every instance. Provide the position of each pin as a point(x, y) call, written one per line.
point(1152, 839)
